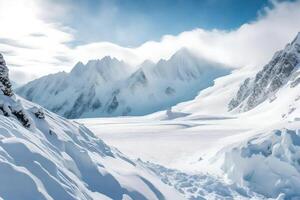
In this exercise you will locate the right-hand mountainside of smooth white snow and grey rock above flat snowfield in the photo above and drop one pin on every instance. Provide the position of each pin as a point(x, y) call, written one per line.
point(272, 89)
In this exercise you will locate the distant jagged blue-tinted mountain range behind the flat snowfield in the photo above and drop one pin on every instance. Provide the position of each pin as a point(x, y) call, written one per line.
point(109, 87)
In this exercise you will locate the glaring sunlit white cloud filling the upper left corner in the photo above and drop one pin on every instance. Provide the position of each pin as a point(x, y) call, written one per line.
point(32, 46)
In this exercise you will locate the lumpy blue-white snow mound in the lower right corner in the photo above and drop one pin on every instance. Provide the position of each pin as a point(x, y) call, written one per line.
point(268, 163)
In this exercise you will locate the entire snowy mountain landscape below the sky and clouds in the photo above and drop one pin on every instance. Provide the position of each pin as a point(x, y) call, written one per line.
point(243, 131)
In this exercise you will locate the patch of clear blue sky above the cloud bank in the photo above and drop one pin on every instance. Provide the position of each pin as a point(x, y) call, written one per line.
point(133, 22)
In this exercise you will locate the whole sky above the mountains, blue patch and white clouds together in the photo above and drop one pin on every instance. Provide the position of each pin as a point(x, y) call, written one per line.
point(39, 37)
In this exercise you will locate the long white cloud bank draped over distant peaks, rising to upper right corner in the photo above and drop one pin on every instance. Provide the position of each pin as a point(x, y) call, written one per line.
point(252, 44)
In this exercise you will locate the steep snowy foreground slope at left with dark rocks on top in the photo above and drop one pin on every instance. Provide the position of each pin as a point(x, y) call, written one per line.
point(43, 156)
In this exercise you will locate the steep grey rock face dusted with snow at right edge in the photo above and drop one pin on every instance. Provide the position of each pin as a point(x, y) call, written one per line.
point(273, 76)
